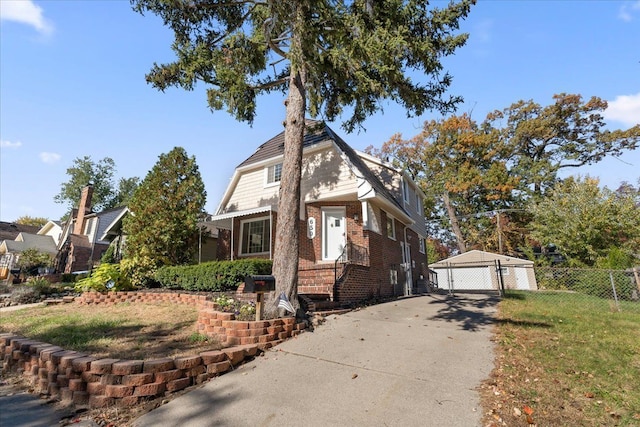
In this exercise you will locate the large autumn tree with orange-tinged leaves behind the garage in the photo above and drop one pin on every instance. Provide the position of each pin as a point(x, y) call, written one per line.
point(480, 178)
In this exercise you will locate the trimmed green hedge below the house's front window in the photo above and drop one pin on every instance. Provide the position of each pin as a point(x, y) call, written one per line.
point(214, 276)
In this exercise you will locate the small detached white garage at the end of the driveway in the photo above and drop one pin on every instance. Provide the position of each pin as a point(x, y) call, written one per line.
point(478, 271)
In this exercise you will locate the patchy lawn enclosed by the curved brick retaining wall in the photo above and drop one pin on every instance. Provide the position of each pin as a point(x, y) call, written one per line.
point(120, 331)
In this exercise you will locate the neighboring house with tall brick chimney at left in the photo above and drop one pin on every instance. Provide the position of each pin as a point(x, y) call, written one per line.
point(84, 237)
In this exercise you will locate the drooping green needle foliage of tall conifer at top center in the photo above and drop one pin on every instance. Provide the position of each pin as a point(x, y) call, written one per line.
point(353, 53)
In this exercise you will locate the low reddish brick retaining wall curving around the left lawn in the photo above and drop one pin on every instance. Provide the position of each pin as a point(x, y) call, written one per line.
point(80, 379)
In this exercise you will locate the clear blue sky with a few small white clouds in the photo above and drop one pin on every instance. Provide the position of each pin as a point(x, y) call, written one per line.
point(72, 84)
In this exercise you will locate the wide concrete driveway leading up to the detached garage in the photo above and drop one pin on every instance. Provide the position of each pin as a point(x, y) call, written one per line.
point(412, 362)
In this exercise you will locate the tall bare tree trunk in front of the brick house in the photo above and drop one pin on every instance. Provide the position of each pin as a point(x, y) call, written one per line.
point(287, 235)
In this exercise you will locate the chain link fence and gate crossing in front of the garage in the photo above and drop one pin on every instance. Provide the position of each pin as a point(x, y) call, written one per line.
point(614, 290)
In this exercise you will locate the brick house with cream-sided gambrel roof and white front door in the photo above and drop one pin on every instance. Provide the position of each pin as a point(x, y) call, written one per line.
point(362, 226)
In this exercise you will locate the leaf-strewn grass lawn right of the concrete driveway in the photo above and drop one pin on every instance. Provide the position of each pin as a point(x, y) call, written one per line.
point(559, 363)
